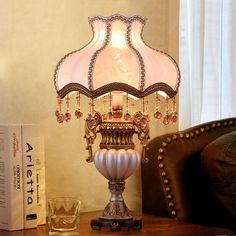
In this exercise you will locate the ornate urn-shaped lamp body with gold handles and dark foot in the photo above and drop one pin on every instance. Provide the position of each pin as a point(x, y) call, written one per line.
point(116, 160)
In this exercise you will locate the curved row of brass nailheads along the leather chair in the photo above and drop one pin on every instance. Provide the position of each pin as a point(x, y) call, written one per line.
point(185, 135)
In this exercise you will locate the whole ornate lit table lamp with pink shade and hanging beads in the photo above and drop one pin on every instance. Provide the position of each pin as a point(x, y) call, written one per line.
point(117, 65)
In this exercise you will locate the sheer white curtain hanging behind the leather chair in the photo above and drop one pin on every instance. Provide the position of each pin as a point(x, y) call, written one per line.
point(207, 38)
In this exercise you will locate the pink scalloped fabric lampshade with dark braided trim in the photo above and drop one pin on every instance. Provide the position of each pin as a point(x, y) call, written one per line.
point(117, 59)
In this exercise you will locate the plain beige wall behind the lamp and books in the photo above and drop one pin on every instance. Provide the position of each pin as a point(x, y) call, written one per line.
point(34, 35)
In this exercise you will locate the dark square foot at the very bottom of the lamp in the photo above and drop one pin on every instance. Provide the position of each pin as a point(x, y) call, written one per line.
point(116, 224)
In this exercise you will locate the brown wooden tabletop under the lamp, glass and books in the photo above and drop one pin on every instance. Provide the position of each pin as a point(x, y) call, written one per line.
point(152, 225)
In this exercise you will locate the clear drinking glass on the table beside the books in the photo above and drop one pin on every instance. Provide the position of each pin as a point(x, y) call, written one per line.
point(63, 216)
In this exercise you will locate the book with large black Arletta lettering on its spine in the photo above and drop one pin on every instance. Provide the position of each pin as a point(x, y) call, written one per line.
point(34, 176)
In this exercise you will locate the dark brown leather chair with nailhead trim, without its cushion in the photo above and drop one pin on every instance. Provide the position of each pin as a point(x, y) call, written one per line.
point(174, 182)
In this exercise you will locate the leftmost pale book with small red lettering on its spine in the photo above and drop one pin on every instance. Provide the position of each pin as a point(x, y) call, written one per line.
point(11, 184)
